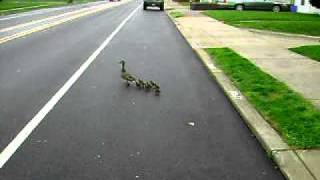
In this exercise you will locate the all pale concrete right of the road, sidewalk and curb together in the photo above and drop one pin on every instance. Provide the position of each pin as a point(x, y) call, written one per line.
point(271, 54)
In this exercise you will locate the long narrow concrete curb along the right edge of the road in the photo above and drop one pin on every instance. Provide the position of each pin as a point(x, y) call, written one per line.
point(287, 159)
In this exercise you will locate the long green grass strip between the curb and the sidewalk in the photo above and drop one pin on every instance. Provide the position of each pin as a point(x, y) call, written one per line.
point(296, 119)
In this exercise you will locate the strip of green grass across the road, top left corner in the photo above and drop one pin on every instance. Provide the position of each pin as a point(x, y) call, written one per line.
point(10, 6)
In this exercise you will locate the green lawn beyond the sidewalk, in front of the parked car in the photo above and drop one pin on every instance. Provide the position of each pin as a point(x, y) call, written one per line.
point(308, 24)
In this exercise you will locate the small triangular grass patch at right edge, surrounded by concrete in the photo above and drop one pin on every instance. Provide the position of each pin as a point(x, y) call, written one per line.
point(312, 51)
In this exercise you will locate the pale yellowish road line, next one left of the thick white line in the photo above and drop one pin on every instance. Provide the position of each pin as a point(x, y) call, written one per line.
point(54, 23)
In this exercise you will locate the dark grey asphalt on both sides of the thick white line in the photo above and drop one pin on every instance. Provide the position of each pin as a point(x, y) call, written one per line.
point(102, 129)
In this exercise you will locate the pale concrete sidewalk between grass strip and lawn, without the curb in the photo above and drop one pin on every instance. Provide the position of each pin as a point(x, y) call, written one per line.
point(269, 52)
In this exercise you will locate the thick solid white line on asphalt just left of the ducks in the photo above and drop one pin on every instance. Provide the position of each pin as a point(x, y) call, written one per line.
point(36, 120)
